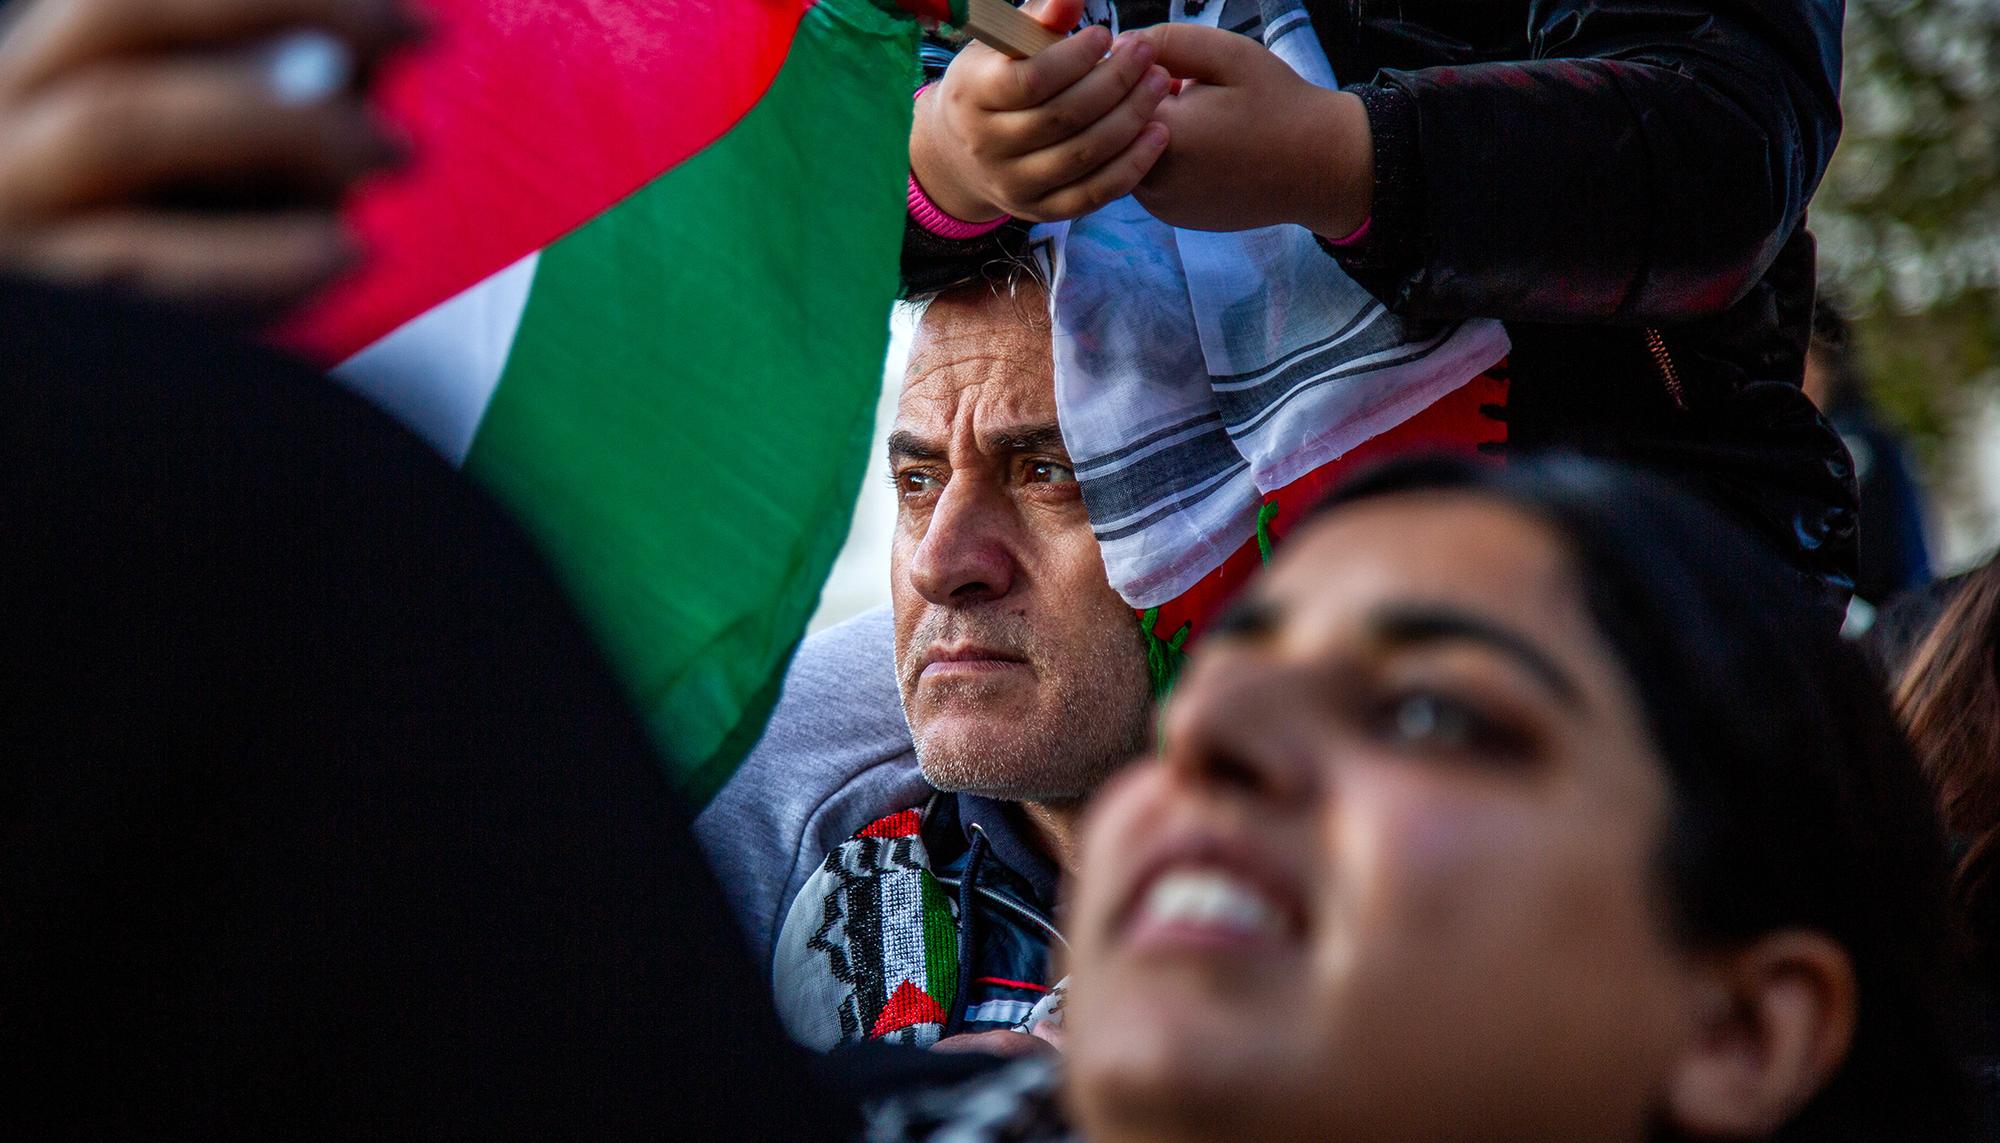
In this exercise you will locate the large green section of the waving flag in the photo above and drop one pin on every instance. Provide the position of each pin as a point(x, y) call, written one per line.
point(689, 401)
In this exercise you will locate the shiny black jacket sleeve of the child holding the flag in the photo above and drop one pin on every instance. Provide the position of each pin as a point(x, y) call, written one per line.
point(1645, 161)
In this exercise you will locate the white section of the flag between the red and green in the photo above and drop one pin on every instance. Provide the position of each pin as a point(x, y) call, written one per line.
point(439, 371)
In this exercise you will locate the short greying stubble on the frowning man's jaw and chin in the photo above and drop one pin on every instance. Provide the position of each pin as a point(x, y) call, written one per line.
point(1055, 754)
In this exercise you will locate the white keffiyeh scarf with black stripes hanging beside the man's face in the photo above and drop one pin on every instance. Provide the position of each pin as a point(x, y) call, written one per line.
point(1199, 375)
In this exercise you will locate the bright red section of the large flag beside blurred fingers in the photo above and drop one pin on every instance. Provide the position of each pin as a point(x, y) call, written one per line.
point(529, 119)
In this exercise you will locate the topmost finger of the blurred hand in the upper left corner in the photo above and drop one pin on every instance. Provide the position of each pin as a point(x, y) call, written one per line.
point(57, 37)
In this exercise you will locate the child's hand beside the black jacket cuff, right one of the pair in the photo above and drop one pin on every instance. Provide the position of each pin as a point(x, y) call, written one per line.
point(1253, 143)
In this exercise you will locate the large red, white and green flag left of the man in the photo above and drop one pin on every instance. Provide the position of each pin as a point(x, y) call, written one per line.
point(639, 287)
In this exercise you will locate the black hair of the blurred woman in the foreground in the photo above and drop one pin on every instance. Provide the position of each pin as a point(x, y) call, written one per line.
point(1795, 796)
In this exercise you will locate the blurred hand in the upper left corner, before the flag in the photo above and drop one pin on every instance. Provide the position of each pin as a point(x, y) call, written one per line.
point(195, 151)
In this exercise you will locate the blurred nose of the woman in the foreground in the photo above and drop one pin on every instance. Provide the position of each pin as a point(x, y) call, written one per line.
point(1241, 726)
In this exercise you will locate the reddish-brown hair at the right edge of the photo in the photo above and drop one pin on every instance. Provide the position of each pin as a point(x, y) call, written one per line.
point(1949, 700)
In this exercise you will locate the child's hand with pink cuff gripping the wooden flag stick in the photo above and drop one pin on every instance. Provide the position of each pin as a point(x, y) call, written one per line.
point(1043, 139)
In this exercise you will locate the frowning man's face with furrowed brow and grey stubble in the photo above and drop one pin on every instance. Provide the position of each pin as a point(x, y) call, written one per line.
point(1023, 672)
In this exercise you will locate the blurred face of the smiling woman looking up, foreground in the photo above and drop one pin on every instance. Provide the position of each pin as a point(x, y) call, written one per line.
point(1395, 870)
